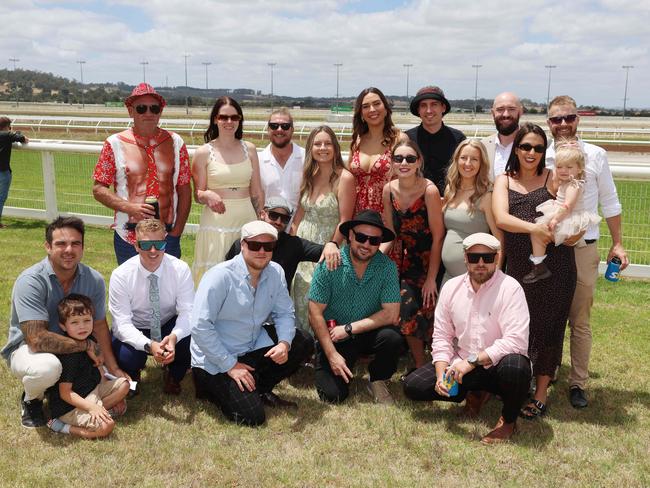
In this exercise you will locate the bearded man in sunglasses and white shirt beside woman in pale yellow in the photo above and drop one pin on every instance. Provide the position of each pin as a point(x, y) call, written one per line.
point(281, 162)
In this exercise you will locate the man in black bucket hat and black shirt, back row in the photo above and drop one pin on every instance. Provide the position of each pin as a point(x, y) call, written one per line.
point(436, 140)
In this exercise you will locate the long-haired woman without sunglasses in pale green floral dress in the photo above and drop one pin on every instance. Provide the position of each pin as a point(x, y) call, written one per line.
point(326, 200)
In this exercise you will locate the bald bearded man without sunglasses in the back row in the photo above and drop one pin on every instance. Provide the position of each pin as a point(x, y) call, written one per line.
point(506, 111)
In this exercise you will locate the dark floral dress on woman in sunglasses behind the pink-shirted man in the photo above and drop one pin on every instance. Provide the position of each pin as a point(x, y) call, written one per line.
point(411, 251)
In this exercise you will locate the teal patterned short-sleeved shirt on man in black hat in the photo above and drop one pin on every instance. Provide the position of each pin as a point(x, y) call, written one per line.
point(349, 298)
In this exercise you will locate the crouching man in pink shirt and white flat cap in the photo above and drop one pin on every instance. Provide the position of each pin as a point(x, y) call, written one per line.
point(480, 339)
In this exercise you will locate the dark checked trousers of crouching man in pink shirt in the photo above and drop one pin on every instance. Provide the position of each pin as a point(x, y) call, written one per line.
point(510, 379)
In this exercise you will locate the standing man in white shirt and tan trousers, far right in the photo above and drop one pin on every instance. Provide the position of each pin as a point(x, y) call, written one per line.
point(599, 189)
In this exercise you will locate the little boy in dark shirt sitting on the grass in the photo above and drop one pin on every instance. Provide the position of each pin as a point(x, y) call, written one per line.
point(83, 402)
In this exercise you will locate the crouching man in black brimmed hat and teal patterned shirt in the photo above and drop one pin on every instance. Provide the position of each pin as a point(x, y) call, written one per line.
point(353, 311)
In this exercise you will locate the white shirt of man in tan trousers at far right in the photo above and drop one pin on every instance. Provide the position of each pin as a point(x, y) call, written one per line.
point(599, 184)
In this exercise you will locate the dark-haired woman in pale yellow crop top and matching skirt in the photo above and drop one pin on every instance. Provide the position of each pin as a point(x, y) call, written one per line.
point(227, 181)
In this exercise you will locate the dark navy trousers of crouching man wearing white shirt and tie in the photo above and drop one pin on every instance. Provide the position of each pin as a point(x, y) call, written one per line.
point(132, 360)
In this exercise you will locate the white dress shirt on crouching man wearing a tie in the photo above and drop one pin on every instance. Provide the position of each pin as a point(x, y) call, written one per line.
point(128, 299)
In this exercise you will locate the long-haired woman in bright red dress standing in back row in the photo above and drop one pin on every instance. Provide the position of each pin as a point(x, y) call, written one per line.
point(373, 136)
